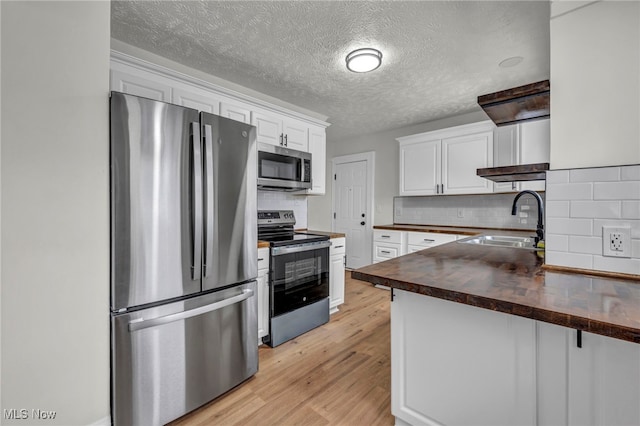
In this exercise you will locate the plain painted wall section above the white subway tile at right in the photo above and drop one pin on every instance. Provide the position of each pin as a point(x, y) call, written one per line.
point(595, 84)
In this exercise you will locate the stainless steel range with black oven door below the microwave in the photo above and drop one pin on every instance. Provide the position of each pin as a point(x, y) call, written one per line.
point(298, 278)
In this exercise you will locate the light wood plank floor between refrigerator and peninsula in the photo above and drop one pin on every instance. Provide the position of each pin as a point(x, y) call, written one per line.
point(336, 374)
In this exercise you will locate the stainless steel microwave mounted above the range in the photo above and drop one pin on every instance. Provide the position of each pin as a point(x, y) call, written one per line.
point(283, 169)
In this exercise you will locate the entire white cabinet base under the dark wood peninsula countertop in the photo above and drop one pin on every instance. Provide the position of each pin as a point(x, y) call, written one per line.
point(454, 364)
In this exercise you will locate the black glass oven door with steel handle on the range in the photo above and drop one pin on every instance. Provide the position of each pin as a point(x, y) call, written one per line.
point(299, 276)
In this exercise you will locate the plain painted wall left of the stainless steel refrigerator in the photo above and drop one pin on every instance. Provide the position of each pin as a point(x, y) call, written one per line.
point(55, 210)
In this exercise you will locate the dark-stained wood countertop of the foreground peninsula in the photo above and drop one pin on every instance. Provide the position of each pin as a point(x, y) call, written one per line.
point(514, 281)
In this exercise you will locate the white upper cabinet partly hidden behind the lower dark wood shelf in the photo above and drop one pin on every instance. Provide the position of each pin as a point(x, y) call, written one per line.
point(523, 143)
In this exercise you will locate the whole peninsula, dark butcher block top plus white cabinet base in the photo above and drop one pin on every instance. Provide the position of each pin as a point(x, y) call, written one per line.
point(494, 331)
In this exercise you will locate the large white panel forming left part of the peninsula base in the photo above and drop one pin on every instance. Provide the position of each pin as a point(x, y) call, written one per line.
point(453, 364)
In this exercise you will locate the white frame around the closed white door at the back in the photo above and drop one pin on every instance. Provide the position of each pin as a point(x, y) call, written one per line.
point(369, 158)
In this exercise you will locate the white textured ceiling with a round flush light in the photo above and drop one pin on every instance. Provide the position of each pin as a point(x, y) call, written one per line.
point(438, 56)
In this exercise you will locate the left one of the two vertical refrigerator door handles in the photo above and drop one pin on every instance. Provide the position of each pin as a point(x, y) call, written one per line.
point(196, 199)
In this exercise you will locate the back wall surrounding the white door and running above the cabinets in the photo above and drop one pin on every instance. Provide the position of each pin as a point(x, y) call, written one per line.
point(387, 163)
